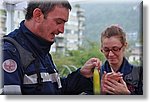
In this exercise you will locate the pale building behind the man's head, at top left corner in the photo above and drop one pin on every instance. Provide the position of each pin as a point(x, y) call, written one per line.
point(12, 13)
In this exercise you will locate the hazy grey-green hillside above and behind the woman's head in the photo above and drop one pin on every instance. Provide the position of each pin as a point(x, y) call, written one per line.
point(100, 15)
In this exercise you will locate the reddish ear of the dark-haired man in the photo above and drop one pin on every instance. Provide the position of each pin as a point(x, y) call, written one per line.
point(38, 15)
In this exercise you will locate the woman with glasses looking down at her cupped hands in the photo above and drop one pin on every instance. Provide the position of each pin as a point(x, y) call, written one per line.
point(118, 75)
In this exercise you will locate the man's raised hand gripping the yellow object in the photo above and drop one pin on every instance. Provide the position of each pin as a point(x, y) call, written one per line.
point(87, 69)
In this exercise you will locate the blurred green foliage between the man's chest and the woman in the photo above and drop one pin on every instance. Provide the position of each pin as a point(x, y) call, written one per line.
point(76, 58)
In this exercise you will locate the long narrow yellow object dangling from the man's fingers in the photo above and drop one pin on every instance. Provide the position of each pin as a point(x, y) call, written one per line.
point(96, 82)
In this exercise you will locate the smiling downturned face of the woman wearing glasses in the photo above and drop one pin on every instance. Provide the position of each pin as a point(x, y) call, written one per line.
point(113, 50)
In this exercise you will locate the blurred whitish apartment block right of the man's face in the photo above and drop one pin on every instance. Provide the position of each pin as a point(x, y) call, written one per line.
point(72, 38)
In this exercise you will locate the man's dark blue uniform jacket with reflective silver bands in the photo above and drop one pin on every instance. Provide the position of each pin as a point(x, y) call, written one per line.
point(40, 76)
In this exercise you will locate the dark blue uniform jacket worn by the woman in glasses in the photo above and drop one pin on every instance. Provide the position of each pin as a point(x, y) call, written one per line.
point(132, 75)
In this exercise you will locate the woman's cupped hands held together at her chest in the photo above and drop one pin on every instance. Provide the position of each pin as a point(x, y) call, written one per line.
point(112, 86)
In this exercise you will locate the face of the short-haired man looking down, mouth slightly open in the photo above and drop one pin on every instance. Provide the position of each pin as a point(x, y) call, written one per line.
point(53, 23)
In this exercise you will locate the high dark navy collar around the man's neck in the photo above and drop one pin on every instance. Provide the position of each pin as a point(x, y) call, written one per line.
point(38, 44)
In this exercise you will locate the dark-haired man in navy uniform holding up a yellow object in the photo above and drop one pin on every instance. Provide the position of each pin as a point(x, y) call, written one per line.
point(38, 75)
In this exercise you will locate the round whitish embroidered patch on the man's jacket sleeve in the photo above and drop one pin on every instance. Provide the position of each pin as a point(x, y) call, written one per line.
point(9, 65)
